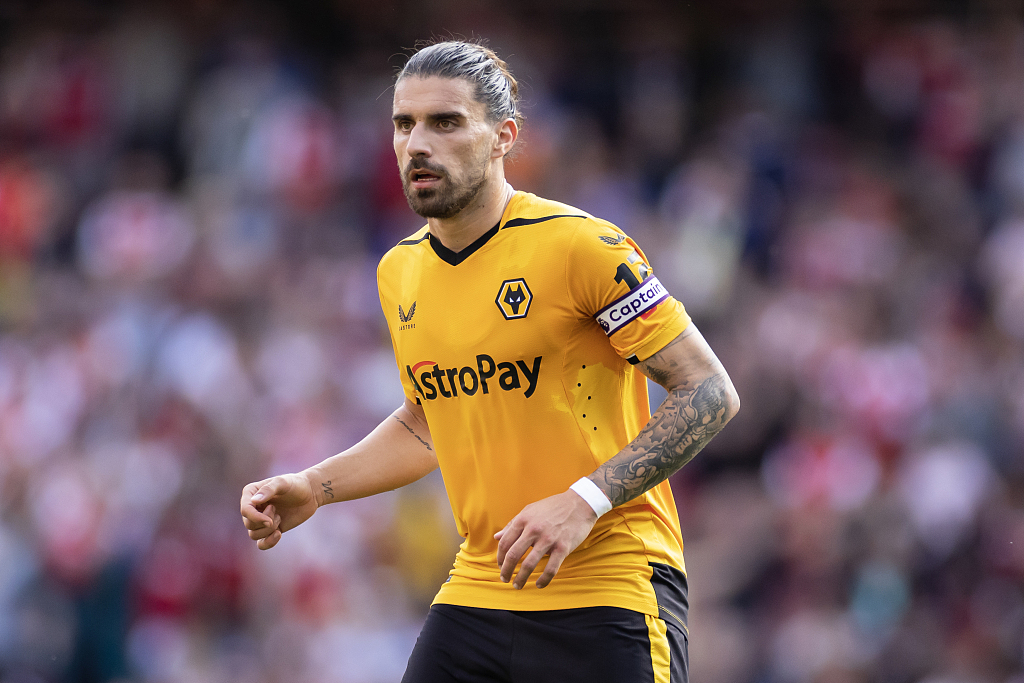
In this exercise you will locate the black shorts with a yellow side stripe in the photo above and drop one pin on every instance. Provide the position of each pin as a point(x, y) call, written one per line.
point(600, 645)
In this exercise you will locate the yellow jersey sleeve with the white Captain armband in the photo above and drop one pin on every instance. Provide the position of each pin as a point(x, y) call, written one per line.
point(612, 282)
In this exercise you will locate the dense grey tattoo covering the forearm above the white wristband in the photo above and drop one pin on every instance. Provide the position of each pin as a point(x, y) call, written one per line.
point(677, 432)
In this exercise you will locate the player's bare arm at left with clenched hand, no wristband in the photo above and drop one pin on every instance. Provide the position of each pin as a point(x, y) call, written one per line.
point(399, 452)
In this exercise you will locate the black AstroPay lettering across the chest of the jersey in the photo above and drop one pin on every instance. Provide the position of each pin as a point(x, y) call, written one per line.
point(433, 381)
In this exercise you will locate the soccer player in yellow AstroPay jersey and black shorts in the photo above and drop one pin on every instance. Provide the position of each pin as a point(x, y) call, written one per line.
point(524, 329)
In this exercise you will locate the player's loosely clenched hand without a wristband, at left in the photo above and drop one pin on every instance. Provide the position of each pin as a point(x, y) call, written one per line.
point(274, 506)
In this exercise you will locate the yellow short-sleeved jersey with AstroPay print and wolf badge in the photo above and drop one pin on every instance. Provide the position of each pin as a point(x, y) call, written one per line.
point(521, 350)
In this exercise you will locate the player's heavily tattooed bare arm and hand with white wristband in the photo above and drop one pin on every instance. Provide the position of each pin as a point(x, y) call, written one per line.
point(702, 400)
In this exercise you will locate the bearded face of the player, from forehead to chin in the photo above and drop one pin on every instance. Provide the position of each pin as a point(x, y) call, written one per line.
point(444, 143)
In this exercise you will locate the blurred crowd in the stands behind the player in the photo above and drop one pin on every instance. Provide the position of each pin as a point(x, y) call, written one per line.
point(194, 196)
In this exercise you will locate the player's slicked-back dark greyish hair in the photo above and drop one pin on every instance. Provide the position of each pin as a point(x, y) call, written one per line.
point(496, 87)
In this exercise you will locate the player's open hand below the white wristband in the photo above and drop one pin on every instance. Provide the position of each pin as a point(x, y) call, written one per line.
point(554, 527)
